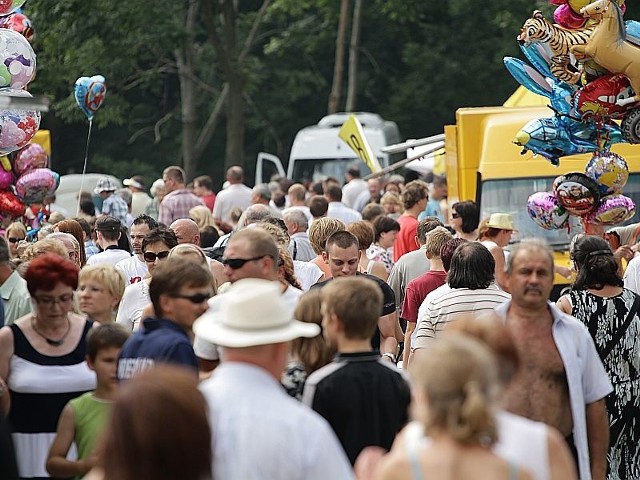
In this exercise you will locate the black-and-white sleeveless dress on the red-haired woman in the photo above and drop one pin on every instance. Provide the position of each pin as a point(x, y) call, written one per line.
point(40, 387)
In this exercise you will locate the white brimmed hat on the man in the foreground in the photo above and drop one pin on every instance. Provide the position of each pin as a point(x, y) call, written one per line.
point(252, 313)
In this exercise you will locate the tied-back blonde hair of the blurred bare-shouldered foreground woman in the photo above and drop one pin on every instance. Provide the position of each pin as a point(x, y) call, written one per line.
point(457, 376)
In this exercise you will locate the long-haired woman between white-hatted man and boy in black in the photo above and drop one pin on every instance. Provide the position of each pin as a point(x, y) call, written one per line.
point(306, 355)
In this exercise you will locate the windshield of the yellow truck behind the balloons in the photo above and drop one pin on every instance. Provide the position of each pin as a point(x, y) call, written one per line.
point(510, 196)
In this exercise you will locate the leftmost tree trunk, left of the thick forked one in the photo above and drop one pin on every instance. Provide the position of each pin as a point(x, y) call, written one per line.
point(186, 74)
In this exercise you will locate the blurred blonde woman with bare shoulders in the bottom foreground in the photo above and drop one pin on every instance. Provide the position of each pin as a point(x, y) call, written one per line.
point(455, 383)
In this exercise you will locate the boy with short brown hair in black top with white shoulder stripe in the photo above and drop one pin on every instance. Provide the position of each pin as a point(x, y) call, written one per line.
point(363, 397)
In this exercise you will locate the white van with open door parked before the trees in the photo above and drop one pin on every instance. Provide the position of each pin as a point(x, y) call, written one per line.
point(317, 151)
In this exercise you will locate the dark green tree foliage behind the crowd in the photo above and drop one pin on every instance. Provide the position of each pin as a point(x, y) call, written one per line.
point(419, 60)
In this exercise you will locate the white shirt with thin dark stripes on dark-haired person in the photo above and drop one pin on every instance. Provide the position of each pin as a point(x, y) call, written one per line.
point(455, 303)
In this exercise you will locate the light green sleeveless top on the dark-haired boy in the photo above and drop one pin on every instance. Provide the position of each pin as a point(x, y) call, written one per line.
point(90, 415)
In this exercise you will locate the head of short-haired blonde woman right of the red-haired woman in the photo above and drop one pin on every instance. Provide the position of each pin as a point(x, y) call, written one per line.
point(100, 289)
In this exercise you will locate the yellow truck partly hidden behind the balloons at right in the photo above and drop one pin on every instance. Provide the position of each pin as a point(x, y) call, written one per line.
point(483, 164)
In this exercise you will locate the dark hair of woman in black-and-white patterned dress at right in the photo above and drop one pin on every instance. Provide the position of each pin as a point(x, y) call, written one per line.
point(595, 264)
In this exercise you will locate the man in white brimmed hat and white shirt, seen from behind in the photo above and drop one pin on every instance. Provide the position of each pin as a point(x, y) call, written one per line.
point(258, 430)
